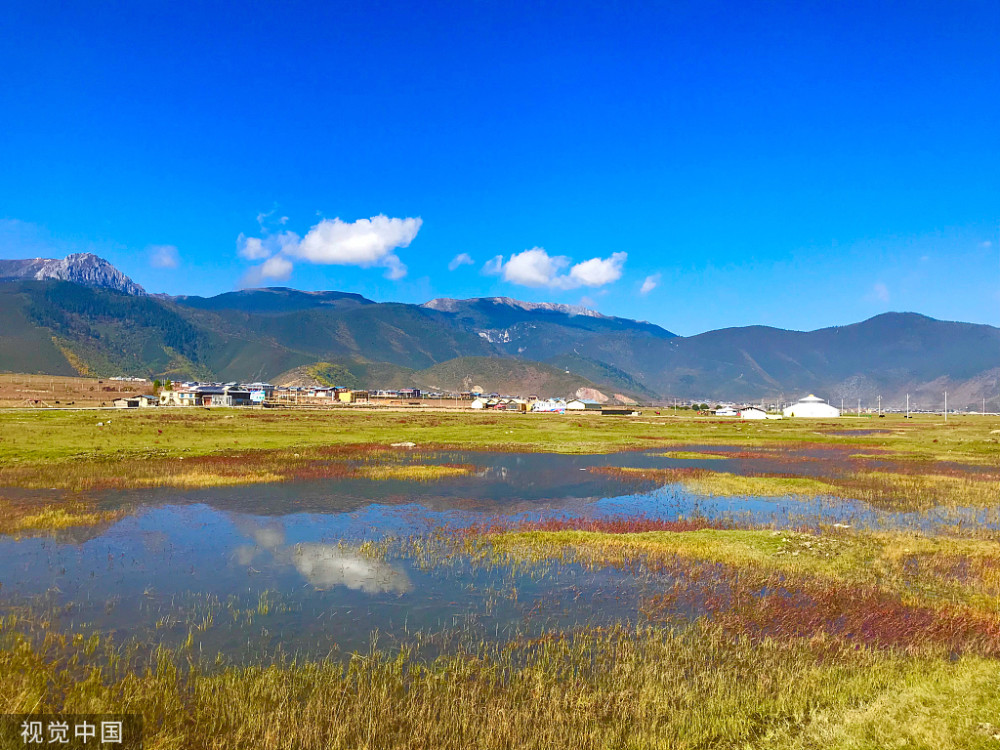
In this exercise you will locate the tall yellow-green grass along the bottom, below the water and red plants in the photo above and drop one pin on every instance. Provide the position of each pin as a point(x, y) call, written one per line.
point(646, 688)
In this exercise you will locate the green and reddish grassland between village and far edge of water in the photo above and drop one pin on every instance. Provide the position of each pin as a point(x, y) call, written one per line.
point(186, 447)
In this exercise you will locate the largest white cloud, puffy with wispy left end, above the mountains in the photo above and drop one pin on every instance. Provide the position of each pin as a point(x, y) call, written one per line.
point(365, 243)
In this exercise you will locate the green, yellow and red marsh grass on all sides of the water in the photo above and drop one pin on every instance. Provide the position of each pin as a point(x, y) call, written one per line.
point(794, 638)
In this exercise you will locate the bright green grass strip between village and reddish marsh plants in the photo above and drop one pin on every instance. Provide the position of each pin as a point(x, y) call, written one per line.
point(65, 435)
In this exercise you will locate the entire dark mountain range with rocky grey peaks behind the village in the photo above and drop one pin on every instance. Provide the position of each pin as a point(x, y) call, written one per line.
point(80, 315)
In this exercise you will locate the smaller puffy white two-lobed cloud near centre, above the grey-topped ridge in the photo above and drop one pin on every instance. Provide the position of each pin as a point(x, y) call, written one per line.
point(536, 268)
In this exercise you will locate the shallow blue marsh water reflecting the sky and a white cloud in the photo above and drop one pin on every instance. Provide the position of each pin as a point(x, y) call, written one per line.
point(230, 553)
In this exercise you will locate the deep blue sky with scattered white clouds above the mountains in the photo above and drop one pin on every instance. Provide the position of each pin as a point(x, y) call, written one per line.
point(797, 165)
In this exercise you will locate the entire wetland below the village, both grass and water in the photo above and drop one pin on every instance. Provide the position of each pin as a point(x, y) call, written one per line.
point(718, 585)
